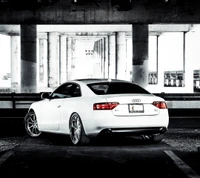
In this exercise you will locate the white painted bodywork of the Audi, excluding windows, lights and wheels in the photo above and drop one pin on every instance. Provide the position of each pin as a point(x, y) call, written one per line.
point(53, 114)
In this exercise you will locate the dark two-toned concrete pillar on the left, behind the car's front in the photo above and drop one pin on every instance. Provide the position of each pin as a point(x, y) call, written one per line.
point(28, 58)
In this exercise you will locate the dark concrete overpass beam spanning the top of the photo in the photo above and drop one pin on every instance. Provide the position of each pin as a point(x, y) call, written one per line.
point(100, 12)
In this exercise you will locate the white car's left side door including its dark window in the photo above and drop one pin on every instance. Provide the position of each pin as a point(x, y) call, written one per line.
point(51, 114)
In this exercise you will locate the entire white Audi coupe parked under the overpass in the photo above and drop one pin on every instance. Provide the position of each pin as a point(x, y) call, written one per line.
point(86, 108)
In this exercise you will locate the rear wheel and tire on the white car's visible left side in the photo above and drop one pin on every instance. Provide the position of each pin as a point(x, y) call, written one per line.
point(77, 132)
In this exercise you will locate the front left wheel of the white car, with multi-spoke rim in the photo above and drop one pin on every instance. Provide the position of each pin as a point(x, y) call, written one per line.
point(31, 125)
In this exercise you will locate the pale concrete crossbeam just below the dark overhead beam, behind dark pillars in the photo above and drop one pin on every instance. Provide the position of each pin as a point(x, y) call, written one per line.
point(96, 29)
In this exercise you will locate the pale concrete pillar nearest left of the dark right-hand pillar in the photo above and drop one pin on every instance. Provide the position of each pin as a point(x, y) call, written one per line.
point(121, 55)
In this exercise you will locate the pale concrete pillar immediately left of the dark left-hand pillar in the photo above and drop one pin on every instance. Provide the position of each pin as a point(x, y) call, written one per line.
point(15, 64)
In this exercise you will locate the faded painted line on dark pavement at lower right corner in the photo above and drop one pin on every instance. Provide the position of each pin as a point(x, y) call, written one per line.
point(182, 165)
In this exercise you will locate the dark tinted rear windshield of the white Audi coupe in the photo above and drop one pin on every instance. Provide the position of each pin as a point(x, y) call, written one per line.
point(116, 88)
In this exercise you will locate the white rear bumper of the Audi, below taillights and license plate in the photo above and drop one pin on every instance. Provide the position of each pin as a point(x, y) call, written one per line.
point(128, 125)
